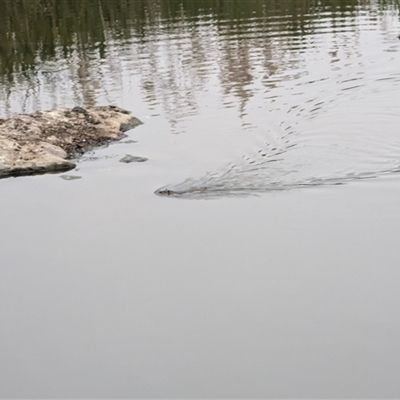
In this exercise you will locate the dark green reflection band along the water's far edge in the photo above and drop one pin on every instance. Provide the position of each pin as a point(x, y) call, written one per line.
point(32, 30)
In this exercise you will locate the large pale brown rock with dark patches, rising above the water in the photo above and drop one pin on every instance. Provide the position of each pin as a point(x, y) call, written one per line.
point(49, 141)
